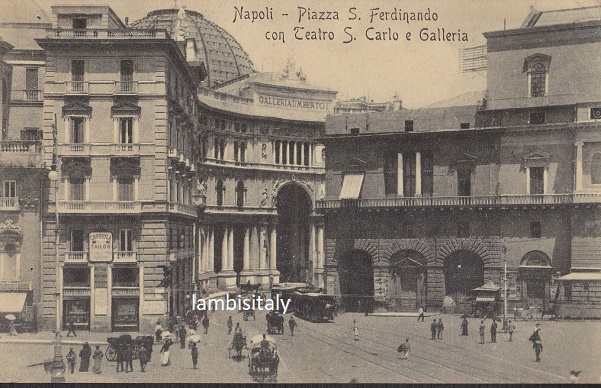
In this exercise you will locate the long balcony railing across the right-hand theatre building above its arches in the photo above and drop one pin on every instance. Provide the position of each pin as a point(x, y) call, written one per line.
point(498, 200)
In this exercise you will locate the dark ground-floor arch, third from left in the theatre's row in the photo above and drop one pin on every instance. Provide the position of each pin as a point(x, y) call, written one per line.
point(463, 271)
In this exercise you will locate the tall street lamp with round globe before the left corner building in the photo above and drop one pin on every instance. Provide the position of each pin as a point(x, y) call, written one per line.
point(58, 366)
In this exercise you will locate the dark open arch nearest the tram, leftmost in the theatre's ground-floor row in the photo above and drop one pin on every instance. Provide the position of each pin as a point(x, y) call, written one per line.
point(356, 275)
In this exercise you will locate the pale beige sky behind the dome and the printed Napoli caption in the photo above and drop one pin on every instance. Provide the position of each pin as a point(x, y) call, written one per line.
point(421, 72)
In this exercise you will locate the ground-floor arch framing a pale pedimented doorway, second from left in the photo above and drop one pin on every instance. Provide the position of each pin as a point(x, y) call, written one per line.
point(407, 291)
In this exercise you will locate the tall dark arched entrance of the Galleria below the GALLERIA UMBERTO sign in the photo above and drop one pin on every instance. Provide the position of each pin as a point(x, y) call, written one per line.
point(294, 207)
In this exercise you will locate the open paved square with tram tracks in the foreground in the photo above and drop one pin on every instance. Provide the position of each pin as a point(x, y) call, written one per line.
point(327, 352)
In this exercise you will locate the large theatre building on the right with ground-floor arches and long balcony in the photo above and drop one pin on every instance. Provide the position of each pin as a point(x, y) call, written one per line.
point(431, 203)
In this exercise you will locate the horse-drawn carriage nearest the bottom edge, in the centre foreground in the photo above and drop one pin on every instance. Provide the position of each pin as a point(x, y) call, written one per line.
point(263, 358)
